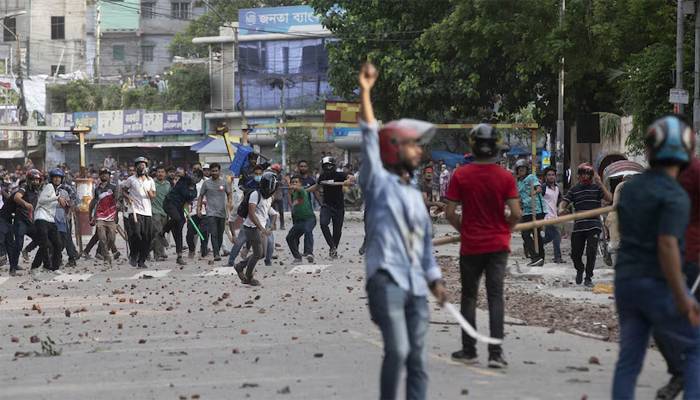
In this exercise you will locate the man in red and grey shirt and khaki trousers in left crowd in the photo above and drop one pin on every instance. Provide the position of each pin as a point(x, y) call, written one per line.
point(103, 214)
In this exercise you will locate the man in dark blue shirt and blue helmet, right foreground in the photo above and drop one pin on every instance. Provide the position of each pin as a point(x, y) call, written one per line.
point(650, 292)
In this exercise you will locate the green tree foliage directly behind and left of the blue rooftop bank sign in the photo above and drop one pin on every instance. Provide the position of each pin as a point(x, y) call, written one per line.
point(222, 13)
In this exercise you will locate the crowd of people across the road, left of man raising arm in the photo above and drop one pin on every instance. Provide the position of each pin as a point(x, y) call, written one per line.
point(148, 205)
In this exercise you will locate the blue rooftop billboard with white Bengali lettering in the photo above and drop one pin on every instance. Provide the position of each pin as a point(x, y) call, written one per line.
point(278, 20)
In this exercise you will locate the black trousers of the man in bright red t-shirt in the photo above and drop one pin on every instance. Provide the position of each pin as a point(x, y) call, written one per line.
point(471, 267)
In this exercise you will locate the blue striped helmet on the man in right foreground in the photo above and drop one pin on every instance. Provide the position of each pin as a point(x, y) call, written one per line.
point(670, 140)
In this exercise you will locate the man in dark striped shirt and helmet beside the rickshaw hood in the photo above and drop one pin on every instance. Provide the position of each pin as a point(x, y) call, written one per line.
point(586, 195)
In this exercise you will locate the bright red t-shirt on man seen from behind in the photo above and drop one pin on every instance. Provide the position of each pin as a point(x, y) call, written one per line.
point(483, 189)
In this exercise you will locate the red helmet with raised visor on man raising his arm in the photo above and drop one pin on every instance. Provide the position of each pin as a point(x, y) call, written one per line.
point(393, 134)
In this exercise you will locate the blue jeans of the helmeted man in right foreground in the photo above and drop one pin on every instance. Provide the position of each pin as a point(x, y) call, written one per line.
point(644, 304)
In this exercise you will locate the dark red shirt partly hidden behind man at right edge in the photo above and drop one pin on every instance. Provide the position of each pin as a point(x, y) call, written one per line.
point(690, 180)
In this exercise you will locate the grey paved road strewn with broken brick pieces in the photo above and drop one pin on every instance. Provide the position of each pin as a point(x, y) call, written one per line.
point(196, 332)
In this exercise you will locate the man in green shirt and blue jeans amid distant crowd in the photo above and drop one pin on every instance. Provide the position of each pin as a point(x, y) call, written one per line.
point(303, 219)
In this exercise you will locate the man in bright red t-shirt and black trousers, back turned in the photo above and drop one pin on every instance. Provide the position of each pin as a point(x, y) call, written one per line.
point(483, 189)
